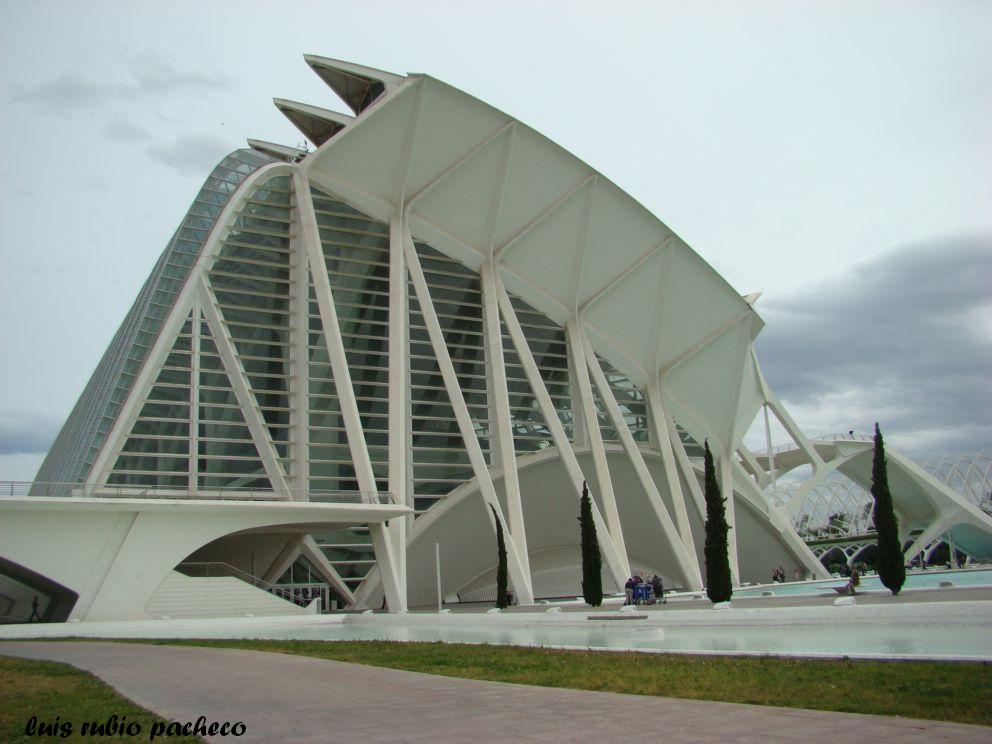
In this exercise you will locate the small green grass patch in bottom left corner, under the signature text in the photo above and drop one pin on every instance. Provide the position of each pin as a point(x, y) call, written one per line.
point(58, 694)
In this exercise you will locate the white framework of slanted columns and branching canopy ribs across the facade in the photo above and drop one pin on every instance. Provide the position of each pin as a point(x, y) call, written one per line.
point(305, 249)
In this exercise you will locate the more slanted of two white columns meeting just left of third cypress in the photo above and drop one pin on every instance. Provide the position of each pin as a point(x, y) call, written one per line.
point(687, 562)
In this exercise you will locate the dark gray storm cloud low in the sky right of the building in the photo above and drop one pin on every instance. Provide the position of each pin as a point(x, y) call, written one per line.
point(904, 338)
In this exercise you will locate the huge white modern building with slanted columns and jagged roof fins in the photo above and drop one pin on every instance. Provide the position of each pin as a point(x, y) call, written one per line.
point(436, 319)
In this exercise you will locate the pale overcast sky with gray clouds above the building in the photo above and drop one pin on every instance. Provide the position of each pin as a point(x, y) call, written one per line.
point(833, 155)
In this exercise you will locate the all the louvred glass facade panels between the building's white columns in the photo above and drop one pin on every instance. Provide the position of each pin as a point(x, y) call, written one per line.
point(191, 432)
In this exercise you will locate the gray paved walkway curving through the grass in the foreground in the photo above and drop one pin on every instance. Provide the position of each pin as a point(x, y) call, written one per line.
point(293, 698)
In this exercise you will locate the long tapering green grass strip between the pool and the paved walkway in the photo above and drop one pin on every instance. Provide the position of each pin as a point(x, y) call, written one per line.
point(946, 691)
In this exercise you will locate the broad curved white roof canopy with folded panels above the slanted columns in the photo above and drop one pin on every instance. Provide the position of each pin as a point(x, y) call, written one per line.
point(480, 186)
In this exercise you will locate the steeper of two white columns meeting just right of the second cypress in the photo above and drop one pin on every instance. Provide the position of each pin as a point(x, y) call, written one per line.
point(575, 343)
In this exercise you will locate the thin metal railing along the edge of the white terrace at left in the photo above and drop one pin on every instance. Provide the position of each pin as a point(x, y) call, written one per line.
point(97, 491)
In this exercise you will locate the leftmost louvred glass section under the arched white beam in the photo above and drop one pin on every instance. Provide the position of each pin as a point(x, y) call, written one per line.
point(249, 285)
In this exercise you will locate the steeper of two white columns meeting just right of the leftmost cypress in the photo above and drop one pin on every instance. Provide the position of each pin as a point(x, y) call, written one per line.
point(501, 421)
